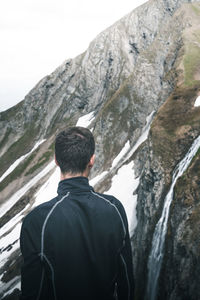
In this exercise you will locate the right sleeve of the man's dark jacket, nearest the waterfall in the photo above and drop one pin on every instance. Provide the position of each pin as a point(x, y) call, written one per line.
point(125, 281)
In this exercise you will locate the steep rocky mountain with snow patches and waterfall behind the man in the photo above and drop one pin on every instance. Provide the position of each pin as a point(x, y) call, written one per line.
point(137, 88)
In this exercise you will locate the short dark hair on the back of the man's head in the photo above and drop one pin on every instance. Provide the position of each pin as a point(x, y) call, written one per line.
point(74, 147)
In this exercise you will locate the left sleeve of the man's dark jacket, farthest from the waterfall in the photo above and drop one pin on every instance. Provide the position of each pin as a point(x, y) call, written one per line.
point(33, 281)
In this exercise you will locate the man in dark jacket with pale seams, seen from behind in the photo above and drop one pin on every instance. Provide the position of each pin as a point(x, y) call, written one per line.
point(76, 246)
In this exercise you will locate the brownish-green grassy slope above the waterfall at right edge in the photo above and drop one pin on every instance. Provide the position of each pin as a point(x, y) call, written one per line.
point(177, 121)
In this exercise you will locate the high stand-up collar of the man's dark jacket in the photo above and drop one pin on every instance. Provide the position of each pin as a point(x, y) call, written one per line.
point(74, 184)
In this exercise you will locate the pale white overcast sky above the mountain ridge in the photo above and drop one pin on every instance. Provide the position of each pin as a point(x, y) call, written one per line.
point(38, 35)
